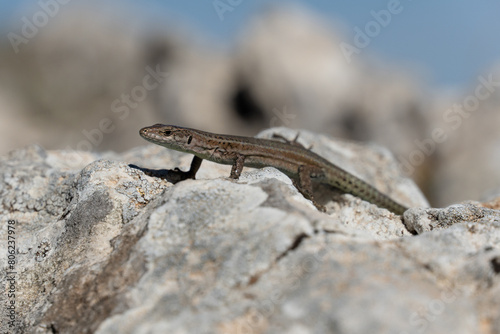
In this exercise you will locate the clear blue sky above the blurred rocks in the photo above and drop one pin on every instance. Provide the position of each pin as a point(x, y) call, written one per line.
point(452, 41)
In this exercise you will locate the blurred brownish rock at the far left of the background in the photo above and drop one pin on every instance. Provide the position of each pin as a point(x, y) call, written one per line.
point(62, 90)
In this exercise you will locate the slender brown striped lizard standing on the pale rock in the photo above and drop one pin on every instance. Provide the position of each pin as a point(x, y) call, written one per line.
point(302, 165)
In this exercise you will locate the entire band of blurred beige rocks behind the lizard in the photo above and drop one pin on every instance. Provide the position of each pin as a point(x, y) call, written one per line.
point(89, 81)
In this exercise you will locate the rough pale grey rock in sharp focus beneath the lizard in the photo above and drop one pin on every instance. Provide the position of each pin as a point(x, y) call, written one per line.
point(102, 247)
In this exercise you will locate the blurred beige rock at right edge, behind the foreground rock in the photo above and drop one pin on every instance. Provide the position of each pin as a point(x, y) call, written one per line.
point(470, 121)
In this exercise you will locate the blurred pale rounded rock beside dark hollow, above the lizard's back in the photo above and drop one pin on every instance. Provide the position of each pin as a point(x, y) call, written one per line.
point(290, 70)
